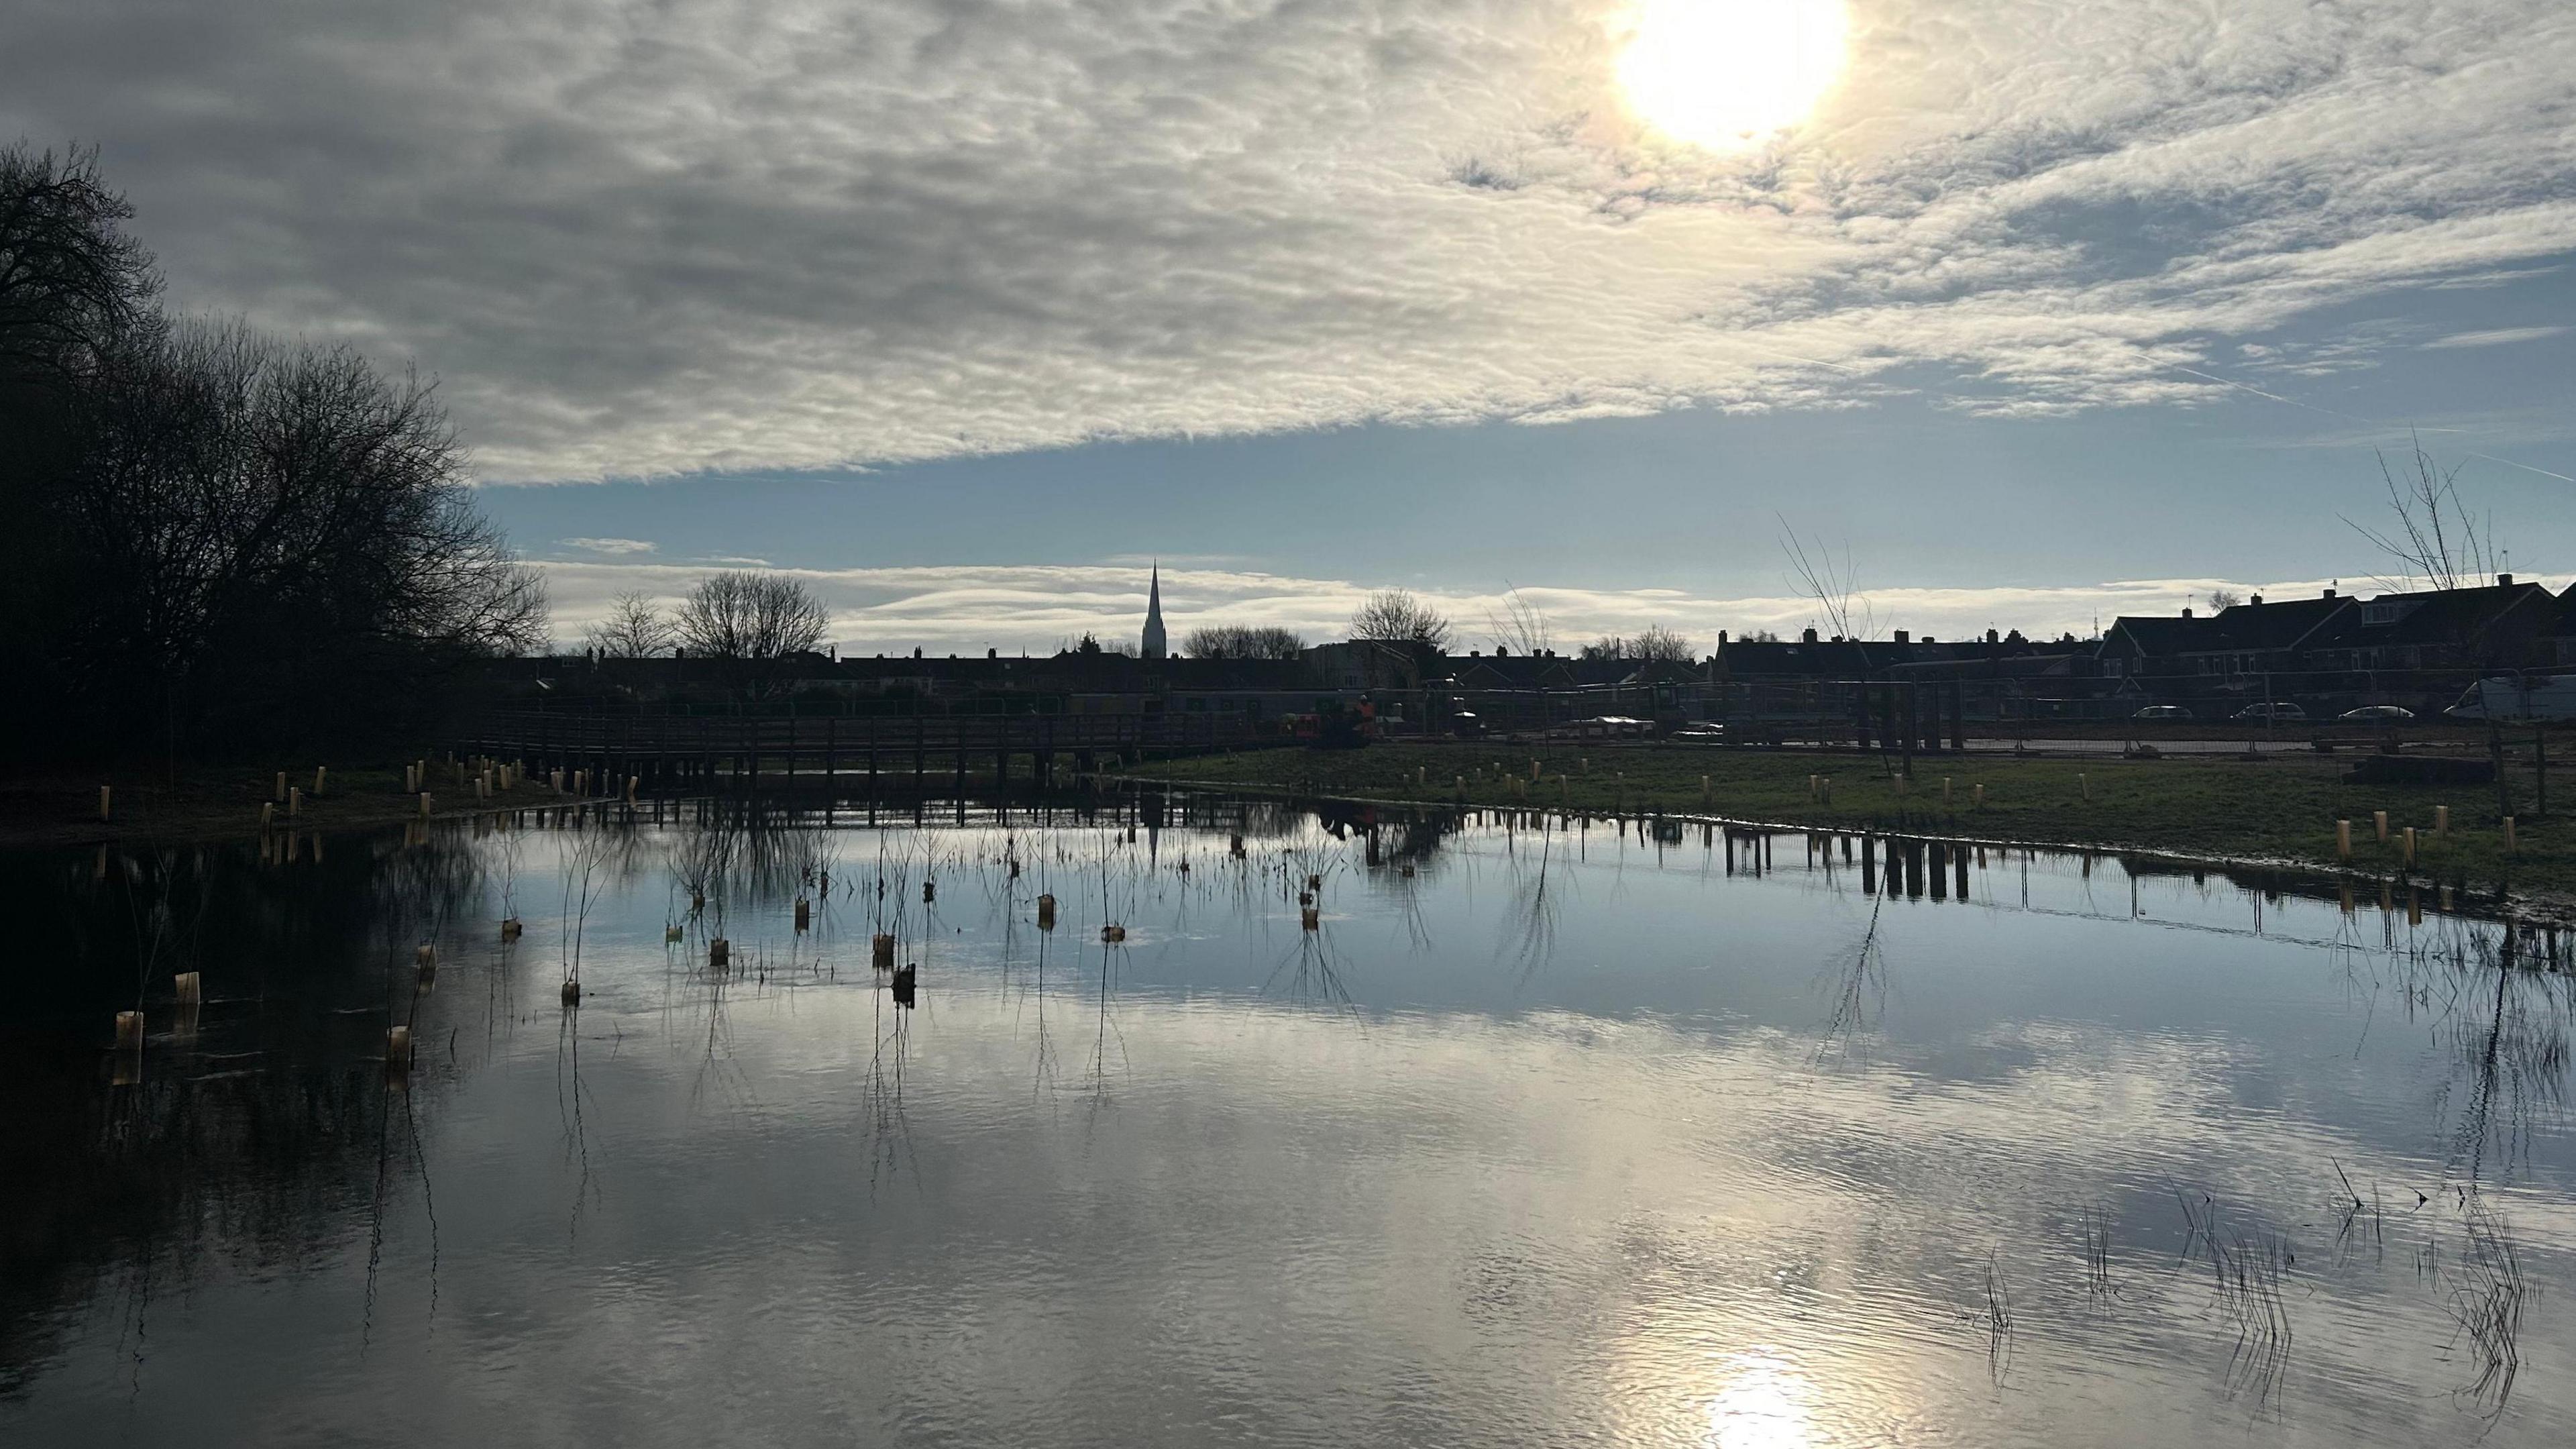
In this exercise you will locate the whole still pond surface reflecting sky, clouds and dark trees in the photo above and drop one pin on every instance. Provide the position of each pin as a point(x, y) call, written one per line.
point(1539, 1138)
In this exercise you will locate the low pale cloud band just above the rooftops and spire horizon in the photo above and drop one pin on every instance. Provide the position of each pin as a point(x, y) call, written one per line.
point(1034, 607)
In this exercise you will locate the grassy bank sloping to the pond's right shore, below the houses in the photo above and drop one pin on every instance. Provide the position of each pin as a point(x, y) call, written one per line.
point(2222, 808)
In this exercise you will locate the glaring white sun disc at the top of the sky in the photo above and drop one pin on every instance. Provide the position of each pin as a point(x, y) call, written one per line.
point(1730, 73)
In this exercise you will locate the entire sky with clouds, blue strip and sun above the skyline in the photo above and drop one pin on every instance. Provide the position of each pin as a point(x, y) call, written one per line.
point(970, 311)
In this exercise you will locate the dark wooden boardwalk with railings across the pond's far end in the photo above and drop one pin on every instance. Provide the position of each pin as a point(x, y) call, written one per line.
point(862, 754)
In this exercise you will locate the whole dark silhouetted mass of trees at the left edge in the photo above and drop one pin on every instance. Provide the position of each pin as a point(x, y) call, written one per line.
point(218, 538)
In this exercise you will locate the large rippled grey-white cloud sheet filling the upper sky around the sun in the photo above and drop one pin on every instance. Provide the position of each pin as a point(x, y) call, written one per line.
point(645, 238)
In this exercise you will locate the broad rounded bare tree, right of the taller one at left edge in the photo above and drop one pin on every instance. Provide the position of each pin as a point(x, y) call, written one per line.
point(277, 527)
